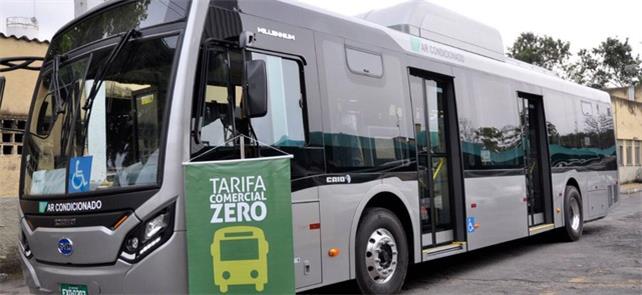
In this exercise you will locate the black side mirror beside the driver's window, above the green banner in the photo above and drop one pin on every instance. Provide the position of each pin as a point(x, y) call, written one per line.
point(256, 77)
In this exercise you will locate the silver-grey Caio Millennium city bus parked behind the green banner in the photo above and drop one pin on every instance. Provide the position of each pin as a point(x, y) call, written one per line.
point(413, 136)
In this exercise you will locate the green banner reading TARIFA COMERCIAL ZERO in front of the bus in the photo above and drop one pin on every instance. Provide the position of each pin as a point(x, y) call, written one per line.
point(239, 226)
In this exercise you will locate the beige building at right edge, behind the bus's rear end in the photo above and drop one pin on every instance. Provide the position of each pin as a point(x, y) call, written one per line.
point(627, 106)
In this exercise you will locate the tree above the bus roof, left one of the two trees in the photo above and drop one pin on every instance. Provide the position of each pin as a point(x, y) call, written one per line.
point(543, 51)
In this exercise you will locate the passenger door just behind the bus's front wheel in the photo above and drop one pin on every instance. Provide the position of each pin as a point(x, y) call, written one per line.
point(433, 104)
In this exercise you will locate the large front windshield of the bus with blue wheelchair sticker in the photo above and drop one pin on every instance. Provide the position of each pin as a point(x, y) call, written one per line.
point(80, 140)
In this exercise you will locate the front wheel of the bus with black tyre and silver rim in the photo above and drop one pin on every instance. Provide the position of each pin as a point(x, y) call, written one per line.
point(381, 253)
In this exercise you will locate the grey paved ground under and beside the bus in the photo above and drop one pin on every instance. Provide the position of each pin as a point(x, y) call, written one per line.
point(607, 260)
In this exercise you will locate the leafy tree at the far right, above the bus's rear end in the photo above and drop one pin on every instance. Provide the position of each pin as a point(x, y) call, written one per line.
point(611, 64)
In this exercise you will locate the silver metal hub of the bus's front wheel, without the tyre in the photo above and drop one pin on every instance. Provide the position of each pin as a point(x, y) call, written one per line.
point(381, 256)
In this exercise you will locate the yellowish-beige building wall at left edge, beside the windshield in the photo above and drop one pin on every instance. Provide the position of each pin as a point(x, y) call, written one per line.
point(18, 90)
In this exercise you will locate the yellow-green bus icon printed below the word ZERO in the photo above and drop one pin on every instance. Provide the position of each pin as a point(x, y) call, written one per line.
point(239, 257)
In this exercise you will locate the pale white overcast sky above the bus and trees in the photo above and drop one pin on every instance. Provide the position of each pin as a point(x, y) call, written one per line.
point(585, 23)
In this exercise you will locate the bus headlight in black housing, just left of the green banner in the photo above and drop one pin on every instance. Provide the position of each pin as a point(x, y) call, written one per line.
point(148, 235)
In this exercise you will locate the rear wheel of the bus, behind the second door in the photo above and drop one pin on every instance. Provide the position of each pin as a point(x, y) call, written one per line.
point(573, 215)
